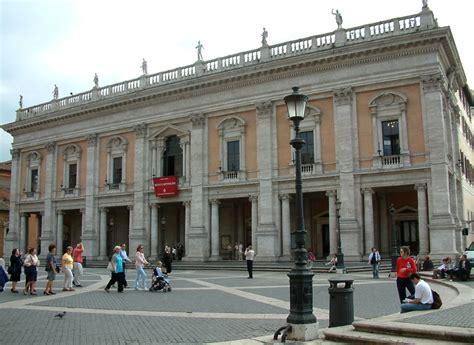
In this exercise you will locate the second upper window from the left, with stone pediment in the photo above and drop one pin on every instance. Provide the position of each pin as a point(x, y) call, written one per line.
point(71, 171)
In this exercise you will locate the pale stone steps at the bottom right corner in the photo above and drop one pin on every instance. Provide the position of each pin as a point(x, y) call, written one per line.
point(348, 334)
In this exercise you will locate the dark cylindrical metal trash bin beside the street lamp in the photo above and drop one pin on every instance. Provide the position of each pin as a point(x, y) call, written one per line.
point(341, 302)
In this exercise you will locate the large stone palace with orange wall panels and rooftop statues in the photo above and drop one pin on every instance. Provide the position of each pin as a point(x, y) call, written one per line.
point(388, 132)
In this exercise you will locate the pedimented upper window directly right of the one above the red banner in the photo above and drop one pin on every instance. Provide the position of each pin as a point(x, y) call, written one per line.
point(232, 165)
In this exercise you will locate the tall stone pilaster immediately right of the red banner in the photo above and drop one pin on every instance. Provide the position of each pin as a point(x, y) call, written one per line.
point(198, 247)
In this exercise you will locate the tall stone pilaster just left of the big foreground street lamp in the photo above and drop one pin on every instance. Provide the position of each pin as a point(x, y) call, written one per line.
point(267, 235)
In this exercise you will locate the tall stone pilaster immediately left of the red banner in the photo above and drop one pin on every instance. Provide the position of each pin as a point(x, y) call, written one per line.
point(137, 225)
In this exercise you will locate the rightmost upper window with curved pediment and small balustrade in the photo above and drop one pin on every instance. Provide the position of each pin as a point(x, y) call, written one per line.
point(389, 126)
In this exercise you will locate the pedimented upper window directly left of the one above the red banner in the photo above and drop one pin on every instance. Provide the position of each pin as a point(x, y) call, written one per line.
point(116, 164)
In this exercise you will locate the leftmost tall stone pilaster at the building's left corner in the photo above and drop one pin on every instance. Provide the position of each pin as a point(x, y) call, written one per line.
point(13, 238)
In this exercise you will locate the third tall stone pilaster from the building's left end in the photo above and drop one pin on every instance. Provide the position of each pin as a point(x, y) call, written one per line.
point(90, 234)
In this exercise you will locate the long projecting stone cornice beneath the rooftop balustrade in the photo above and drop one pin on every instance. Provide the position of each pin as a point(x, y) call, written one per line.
point(291, 67)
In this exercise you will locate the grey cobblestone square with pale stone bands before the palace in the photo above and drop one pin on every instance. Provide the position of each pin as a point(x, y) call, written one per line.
point(204, 306)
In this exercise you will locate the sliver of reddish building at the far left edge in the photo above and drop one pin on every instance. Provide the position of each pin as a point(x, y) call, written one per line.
point(5, 172)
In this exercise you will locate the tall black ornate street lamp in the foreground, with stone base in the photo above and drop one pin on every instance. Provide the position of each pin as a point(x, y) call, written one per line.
point(302, 324)
